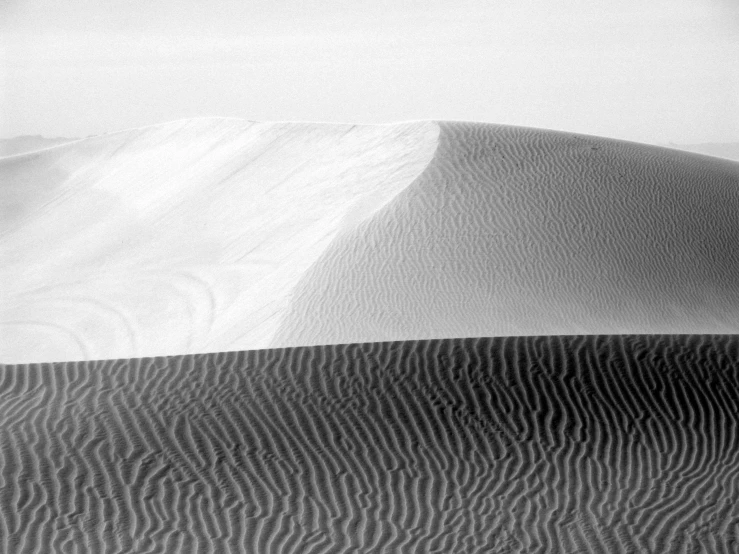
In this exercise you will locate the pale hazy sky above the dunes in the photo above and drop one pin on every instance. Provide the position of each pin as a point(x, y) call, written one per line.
point(656, 71)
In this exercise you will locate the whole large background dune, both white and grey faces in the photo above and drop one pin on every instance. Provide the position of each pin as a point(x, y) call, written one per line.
point(221, 234)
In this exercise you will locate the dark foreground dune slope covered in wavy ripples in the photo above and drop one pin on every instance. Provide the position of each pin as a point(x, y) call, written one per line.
point(536, 444)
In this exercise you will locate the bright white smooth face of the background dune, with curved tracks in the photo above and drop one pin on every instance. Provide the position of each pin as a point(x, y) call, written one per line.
point(184, 237)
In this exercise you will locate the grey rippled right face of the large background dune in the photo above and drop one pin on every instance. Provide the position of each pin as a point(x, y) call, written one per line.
point(514, 231)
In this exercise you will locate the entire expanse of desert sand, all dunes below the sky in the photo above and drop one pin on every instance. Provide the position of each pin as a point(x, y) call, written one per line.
point(225, 336)
